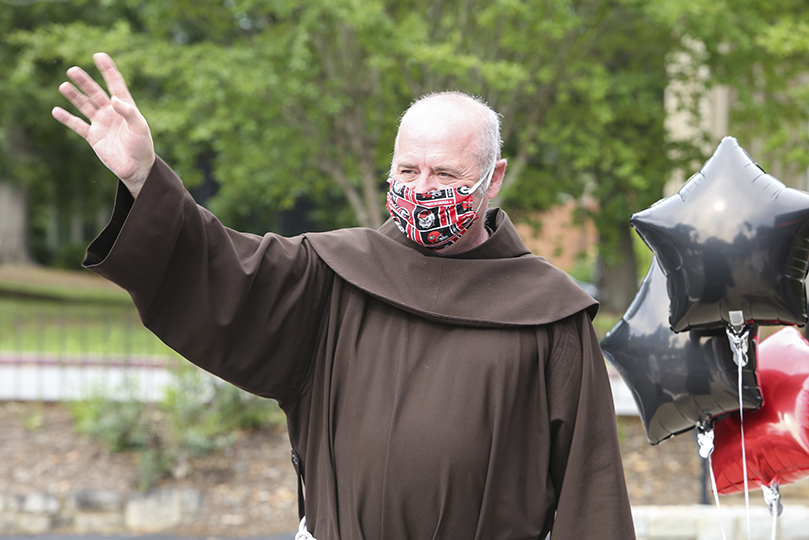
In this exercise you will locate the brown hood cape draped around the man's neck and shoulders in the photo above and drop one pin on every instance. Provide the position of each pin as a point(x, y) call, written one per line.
point(498, 283)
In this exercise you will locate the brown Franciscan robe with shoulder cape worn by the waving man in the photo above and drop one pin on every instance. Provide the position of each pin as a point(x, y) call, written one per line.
point(429, 397)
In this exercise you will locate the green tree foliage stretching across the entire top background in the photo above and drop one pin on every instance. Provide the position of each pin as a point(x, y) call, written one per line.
point(274, 102)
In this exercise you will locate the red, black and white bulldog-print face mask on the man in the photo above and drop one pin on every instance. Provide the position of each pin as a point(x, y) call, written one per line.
point(434, 219)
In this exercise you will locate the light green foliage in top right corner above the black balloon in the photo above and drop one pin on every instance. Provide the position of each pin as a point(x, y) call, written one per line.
point(760, 51)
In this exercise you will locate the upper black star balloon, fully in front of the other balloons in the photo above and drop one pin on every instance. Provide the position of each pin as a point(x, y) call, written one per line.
point(733, 239)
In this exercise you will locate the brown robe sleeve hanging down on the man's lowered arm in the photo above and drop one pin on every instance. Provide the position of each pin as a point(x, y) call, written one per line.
point(585, 463)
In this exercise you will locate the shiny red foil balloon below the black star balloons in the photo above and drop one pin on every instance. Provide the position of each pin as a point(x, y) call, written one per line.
point(777, 435)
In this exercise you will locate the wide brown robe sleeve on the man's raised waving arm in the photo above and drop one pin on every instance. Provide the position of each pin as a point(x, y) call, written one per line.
point(247, 308)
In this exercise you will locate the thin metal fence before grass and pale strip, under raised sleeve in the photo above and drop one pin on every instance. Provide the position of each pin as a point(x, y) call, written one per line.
point(56, 356)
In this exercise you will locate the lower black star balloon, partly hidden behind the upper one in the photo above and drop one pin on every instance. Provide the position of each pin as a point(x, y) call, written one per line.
point(679, 381)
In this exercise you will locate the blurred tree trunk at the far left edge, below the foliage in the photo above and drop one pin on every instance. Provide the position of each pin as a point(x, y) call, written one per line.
point(13, 225)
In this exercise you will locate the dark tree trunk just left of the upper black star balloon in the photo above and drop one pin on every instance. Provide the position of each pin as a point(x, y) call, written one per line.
point(617, 280)
